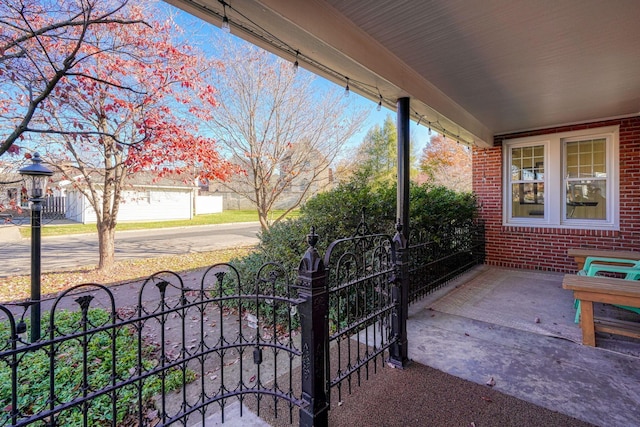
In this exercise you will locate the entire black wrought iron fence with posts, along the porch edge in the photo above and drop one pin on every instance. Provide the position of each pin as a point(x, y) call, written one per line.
point(185, 350)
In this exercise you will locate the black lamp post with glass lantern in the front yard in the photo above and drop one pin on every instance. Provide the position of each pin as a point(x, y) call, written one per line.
point(37, 178)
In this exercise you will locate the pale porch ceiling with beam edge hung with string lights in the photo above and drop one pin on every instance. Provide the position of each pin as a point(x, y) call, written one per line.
point(475, 67)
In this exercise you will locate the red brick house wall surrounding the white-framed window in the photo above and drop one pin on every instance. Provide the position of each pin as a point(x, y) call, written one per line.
point(546, 248)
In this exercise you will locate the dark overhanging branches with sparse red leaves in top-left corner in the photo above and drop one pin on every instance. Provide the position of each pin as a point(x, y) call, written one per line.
point(42, 42)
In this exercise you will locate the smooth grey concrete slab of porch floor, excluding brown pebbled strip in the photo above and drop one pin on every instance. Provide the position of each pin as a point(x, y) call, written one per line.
point(593, 384)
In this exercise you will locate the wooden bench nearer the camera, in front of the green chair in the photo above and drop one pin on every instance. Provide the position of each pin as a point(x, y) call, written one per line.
point(590, 289)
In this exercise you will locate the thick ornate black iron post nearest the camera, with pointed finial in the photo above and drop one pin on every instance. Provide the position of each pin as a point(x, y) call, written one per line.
point(315, 336)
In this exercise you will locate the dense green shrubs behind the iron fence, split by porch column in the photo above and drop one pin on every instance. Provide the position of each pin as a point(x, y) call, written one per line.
point(434, 213)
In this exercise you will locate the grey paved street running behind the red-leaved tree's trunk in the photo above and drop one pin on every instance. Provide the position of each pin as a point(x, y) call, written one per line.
point(65, 252)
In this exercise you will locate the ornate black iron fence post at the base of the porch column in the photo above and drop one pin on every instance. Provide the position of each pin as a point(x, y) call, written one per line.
point(398, 353)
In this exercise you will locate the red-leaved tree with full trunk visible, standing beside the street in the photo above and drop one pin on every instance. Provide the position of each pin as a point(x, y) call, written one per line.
point(130, 111)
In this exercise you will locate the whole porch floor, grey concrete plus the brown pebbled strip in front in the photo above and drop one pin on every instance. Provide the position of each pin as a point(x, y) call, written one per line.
point(525, 359)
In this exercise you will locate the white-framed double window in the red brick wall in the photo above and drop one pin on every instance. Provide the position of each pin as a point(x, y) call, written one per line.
point(567, 180)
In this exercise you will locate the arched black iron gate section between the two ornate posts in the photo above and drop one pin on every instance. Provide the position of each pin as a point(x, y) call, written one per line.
point(360, 271)
